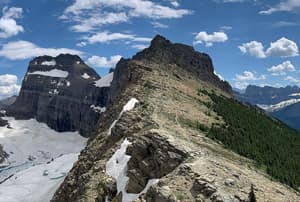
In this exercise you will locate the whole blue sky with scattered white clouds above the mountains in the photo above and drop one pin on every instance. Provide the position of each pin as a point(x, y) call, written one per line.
point(250, 41)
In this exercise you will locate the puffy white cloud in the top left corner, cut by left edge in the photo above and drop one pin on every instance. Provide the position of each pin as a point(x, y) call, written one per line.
point(8, 24)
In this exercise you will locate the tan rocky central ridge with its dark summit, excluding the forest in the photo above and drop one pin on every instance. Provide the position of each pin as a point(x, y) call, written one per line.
point(152, 145)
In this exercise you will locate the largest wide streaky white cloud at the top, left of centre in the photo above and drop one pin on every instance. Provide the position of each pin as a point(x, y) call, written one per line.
point(87, 16)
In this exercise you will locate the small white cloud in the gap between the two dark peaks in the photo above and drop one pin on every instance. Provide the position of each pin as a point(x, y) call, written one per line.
point(104, 62)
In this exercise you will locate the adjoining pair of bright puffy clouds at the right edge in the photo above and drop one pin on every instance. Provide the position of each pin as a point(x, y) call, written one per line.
point(283, 47)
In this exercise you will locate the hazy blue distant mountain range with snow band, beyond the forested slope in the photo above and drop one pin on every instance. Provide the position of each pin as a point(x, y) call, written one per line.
point(281, 103)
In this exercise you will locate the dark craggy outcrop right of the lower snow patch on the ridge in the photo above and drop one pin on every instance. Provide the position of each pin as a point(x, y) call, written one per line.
point(152, 158)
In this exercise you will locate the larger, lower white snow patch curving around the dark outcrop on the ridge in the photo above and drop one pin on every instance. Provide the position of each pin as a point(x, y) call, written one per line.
point(116, 167)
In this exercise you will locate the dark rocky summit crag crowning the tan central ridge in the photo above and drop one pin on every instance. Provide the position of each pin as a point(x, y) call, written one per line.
point(162, 51)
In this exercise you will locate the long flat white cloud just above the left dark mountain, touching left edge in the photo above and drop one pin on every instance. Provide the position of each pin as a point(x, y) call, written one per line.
point(19, 50)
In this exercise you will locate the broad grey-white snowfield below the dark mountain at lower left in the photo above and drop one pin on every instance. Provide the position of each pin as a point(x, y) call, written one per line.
point(39, 159)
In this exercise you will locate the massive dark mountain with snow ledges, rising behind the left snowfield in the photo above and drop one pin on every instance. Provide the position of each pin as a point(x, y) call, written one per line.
point(62, 98)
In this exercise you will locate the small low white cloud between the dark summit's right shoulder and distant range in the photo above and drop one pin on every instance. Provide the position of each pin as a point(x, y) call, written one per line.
point(243, 80)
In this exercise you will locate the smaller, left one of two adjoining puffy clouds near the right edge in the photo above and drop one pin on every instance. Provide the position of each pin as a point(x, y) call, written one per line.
point(254, 48)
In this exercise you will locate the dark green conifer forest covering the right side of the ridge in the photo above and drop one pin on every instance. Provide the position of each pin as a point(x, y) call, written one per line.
point(255, 135)
